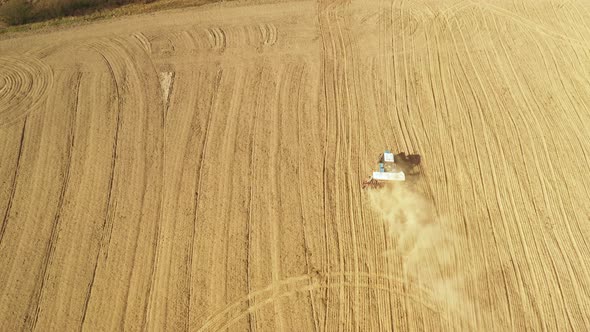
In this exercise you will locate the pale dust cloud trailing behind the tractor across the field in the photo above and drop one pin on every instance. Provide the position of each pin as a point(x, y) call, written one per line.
point(434, 257)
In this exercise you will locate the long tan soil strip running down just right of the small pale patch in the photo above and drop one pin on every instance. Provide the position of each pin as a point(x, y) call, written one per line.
point(187, 141)
